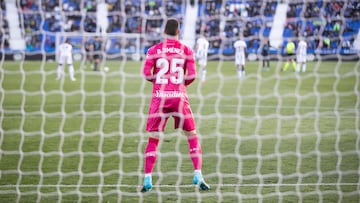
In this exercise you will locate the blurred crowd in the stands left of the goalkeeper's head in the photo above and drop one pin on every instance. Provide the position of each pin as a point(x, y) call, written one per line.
point(128, 16)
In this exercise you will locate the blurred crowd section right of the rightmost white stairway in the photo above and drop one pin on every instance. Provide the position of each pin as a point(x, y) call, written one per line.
point(325, 24)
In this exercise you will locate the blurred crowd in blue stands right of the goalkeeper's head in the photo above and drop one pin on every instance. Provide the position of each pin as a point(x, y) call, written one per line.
point(325, 24)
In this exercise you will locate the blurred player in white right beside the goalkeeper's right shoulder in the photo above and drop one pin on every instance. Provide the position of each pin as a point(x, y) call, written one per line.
point(202, 47)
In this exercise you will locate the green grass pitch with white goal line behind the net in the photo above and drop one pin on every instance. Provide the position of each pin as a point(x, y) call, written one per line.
point(271, 137)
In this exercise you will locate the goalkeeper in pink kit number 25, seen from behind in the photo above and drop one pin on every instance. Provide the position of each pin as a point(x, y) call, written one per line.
point(170, 67)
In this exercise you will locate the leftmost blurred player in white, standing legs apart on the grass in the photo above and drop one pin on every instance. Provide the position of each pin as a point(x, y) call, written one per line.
point(65, 56)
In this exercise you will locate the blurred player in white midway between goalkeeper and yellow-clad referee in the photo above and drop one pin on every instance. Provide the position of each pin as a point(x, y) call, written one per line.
point(240, 56)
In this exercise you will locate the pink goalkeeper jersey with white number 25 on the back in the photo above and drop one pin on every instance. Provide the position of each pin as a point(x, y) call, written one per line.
point(170, 66)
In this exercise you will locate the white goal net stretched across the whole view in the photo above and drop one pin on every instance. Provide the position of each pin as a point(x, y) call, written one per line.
point(276, 135)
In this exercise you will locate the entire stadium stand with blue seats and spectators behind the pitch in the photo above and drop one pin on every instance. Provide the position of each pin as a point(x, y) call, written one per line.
point(330, 27)
